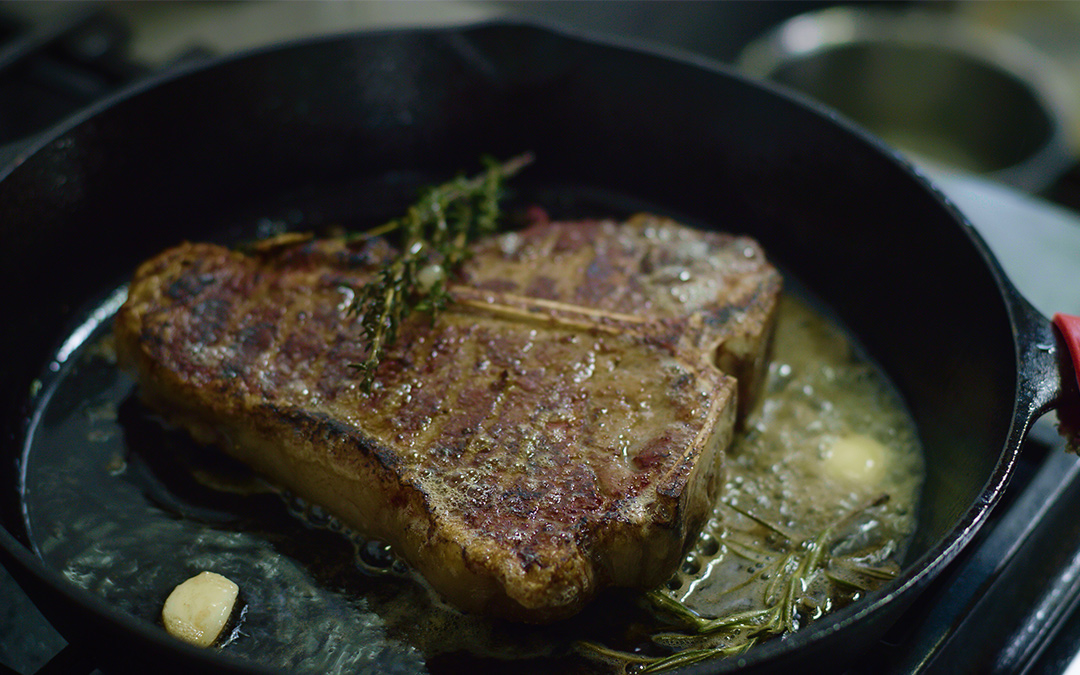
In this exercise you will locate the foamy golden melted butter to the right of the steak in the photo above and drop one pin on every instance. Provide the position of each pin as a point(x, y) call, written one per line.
point(821, 495)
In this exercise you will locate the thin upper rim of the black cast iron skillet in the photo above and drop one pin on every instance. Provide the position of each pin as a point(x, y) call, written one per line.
point(914, 577)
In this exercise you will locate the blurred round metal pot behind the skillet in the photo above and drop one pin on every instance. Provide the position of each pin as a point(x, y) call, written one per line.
point(951, 94)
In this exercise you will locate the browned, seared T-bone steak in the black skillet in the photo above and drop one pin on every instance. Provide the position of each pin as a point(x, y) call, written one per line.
point(560, 429)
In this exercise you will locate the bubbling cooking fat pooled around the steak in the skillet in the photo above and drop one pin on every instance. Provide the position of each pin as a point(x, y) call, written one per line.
point(820, 502)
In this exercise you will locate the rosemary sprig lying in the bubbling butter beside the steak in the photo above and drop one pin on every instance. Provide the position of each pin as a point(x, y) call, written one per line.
point(789, 570)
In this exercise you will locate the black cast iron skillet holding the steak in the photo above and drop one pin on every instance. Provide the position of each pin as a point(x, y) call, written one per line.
point(178, 158)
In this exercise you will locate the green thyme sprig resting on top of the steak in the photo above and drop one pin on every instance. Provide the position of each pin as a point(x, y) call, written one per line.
point(436, 236)
